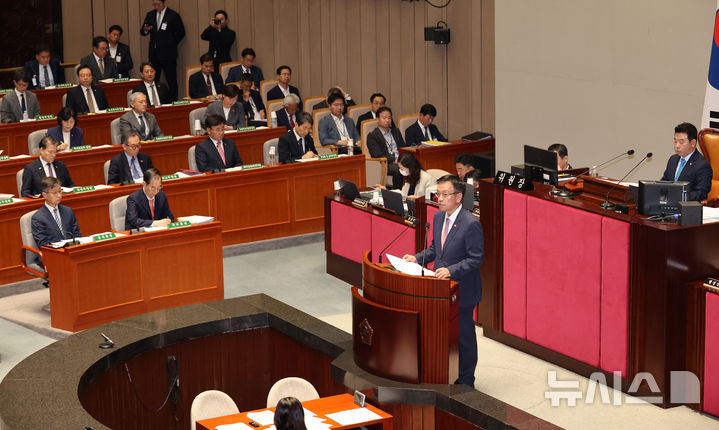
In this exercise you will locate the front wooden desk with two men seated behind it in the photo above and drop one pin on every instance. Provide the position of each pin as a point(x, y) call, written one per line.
point(101, 282)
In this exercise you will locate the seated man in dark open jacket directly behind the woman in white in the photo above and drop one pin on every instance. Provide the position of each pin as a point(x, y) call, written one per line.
point(384, 141)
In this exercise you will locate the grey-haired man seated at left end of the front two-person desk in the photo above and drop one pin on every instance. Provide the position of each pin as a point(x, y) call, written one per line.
point(53, 222)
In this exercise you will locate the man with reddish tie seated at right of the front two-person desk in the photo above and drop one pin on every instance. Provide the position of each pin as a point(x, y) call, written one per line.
point(148, 206)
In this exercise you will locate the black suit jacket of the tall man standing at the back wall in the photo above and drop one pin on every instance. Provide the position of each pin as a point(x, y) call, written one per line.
point(163, 43)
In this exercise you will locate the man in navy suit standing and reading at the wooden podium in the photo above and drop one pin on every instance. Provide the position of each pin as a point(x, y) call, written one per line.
point(457, 250)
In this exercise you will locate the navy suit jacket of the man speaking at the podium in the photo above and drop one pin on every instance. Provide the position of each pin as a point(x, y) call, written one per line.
point(462, 254)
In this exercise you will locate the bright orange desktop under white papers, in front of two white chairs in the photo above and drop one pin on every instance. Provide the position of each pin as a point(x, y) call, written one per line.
point(321, 407)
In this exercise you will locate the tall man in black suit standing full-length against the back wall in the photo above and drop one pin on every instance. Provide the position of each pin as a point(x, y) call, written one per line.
point(166, 30)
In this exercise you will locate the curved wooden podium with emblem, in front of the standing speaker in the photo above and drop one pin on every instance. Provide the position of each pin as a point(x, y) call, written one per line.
point(406, 327)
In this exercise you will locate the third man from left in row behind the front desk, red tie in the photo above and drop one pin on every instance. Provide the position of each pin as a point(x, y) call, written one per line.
point(216, 152)
